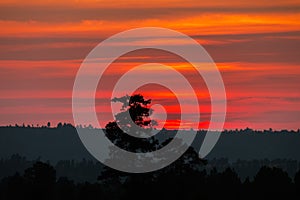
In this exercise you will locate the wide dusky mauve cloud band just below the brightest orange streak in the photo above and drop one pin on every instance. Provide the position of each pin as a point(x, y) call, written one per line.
point(253, 48)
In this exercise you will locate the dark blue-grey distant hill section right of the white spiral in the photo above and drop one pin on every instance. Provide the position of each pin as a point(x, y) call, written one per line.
point(250, 145)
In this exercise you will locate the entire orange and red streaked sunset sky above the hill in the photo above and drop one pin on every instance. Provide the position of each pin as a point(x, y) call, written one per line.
point(255, 45)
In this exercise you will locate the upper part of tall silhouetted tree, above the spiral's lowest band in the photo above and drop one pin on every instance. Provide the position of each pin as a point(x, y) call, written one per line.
point(139, 123)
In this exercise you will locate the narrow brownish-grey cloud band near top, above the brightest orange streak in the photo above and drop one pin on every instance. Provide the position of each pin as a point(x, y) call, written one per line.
point(69, 14)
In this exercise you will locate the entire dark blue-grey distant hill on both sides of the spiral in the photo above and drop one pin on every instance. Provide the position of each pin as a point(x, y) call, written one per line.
point(63, 143)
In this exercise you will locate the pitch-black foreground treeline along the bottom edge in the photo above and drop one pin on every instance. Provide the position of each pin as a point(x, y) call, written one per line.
point(40, 181)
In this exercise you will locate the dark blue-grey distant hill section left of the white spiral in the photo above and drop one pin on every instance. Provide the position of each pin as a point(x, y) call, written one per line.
point(51, 144)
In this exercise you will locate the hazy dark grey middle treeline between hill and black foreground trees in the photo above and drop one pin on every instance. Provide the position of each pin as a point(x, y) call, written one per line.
point(86, 170)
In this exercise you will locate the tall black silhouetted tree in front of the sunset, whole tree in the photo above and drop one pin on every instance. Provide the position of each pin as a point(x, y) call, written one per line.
point(137, 107)
